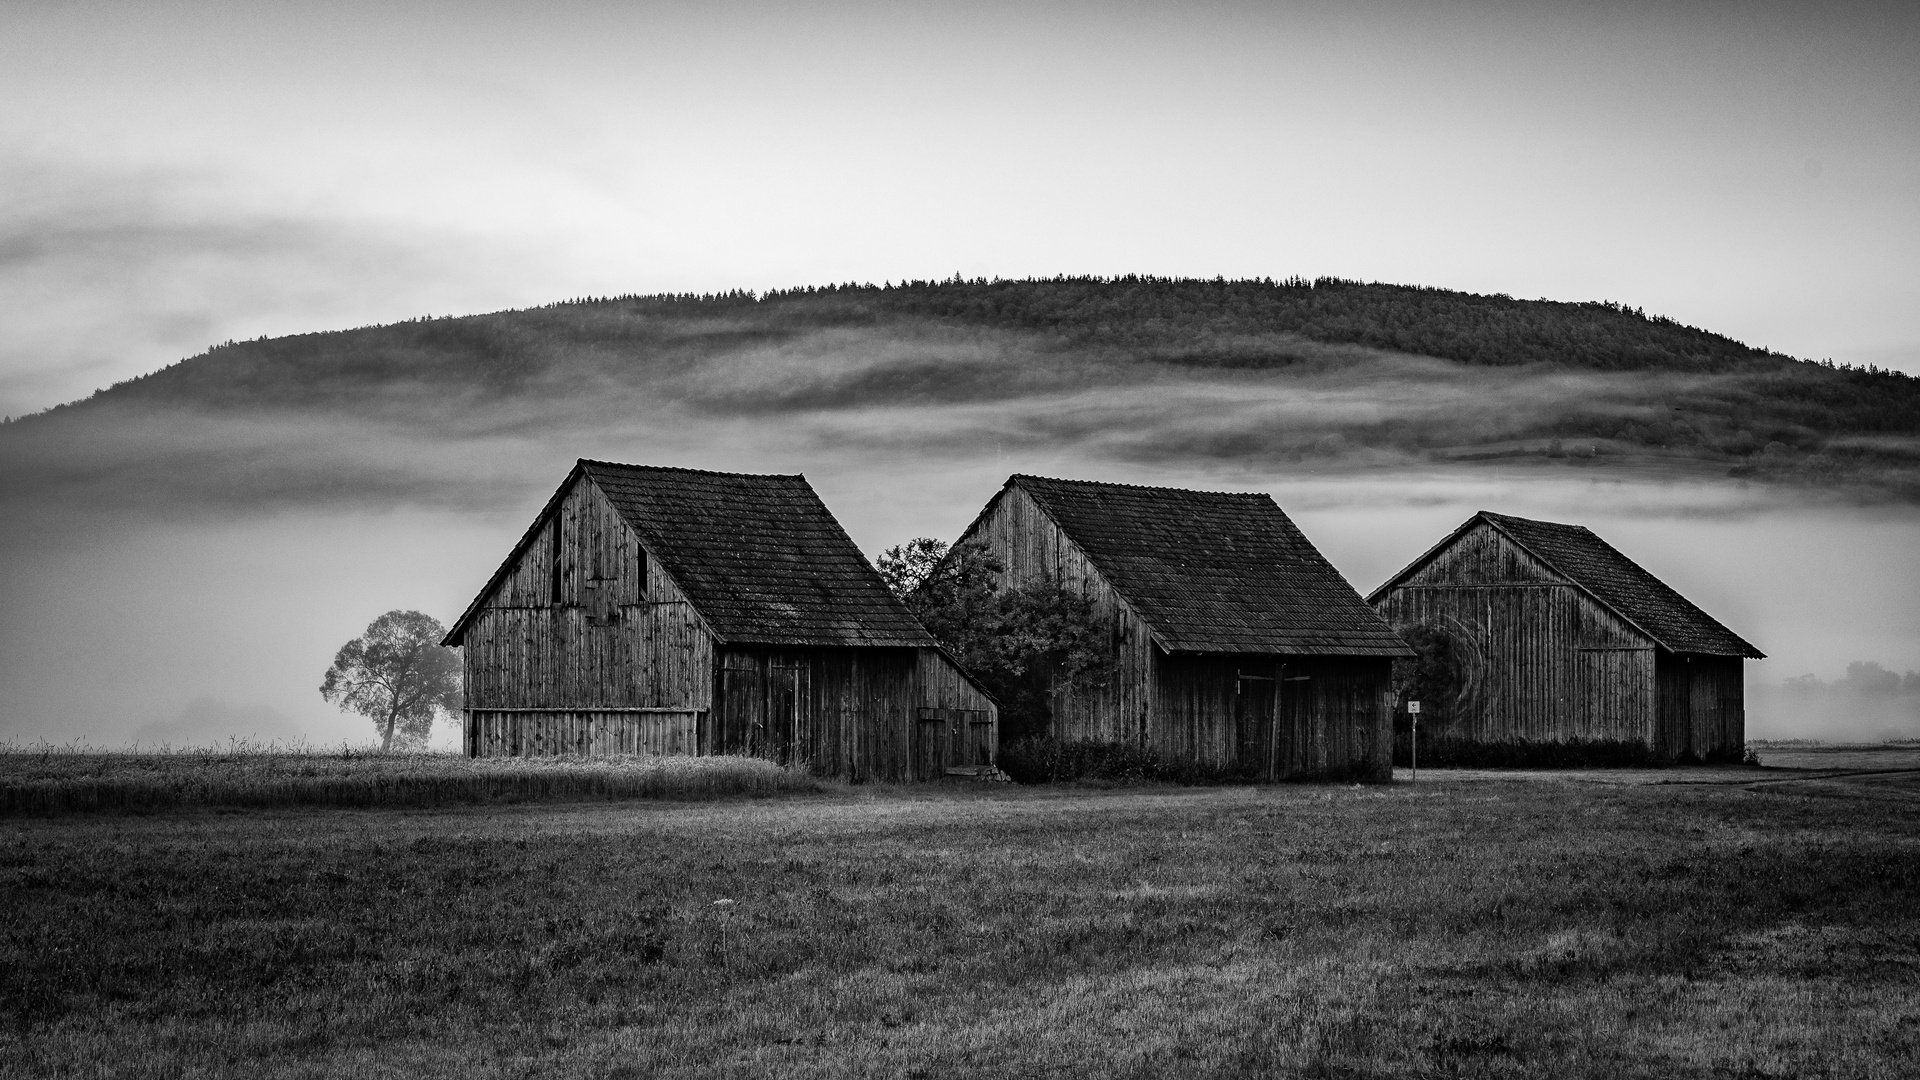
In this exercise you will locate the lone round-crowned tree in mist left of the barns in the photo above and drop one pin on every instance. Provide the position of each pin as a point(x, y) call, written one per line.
point(398, 675)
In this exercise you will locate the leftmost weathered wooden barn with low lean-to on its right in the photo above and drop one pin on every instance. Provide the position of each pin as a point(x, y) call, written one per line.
point(683, 612)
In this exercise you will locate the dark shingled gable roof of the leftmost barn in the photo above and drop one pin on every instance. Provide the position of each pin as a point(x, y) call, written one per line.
point(759, 556)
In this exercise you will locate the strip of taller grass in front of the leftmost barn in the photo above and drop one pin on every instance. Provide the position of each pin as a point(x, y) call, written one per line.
point(47, 779)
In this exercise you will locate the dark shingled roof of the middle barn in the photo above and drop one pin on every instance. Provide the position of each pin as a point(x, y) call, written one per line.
point(1214, 572)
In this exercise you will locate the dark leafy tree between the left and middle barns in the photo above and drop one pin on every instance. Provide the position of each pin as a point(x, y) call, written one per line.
point(1024, 645)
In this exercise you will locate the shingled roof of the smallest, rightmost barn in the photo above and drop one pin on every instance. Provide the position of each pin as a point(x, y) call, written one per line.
point(1610, 577)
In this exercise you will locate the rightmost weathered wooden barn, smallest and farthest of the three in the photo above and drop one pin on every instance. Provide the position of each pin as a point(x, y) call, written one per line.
point(1556, 637)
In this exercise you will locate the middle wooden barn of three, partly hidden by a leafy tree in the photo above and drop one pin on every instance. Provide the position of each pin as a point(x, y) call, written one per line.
point(1237, 645)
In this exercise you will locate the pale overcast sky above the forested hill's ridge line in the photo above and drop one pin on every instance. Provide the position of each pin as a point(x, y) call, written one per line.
point(178, 174)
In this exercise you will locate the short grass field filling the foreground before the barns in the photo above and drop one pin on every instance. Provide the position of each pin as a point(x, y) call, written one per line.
point(1681, 923)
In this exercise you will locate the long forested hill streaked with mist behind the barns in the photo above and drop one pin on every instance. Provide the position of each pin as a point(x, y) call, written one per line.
point(1253, 374)
